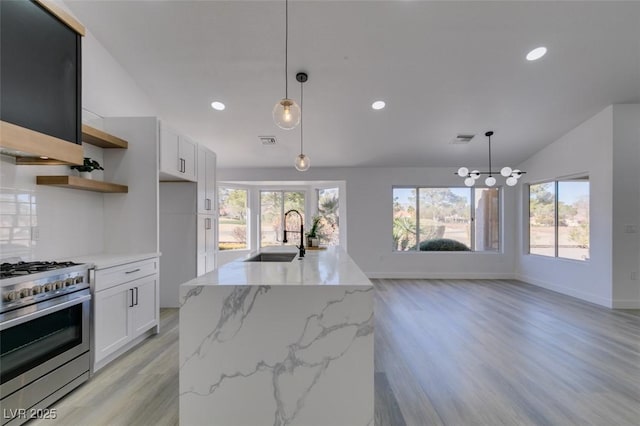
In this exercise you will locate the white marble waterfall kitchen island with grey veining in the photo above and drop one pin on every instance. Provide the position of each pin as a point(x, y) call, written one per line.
point(278, 343)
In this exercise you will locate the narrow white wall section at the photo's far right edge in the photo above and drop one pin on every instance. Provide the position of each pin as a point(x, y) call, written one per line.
point(626, 206)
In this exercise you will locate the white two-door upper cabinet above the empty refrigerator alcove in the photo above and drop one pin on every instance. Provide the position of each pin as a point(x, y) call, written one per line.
point(178, 155)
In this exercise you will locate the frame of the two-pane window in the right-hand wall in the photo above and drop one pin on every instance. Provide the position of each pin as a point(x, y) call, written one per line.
point(556, 217)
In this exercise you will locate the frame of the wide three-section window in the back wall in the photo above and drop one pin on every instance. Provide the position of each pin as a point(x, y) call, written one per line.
point(472, 217)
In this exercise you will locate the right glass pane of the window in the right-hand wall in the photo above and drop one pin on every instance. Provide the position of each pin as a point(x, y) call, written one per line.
point(573, 219)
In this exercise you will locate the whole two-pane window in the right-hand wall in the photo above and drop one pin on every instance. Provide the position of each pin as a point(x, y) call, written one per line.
point(559, 219)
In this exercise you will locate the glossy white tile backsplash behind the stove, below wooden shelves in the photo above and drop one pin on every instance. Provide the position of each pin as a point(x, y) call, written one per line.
point(42, 222)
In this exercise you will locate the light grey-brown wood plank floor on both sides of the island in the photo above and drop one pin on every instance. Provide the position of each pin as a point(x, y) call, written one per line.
point(447, 352)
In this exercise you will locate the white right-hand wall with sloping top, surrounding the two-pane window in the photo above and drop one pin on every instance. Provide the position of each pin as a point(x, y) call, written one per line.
point(586, 149)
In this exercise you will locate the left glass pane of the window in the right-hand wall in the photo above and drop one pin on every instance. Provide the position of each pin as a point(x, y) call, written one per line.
point(542, 219)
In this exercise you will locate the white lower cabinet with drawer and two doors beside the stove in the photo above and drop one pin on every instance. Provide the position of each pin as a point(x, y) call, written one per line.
point(125, 308)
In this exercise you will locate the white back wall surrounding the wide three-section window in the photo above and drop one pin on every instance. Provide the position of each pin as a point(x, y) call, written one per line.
point(369, 218)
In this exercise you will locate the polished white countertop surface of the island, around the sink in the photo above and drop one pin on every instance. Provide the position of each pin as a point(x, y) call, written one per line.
point(329, 267)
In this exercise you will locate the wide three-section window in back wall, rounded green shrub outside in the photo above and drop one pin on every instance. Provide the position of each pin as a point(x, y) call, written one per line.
point(446, 219)
